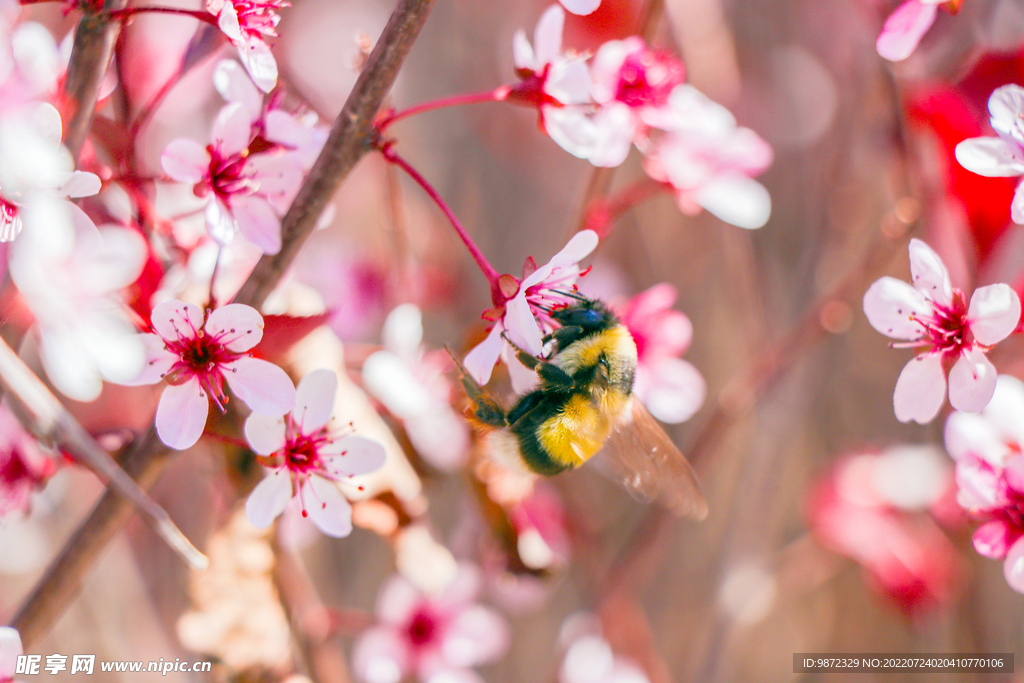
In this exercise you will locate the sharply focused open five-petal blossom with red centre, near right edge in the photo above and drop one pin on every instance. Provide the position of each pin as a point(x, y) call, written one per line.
point(953, 336)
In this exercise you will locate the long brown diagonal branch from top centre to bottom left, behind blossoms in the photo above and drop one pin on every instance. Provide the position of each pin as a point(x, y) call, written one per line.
point(351, 139)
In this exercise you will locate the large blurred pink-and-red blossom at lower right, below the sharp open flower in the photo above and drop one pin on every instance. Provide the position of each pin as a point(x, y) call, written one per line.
point(876, 509)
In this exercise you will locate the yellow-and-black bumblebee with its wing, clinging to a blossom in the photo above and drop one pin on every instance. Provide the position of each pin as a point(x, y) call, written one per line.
point(584, 405)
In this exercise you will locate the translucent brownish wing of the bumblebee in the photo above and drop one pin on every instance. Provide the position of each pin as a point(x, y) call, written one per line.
point(645, 459)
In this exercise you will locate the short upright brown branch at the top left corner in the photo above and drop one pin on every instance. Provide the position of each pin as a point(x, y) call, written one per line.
point(91, 56)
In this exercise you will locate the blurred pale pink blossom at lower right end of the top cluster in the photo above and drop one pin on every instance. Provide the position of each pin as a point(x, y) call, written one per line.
point(708, 161)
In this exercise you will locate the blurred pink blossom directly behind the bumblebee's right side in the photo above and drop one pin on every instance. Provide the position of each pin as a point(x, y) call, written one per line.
point(671, 389)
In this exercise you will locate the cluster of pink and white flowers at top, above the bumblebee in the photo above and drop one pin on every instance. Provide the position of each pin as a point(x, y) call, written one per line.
point(632, 95)
